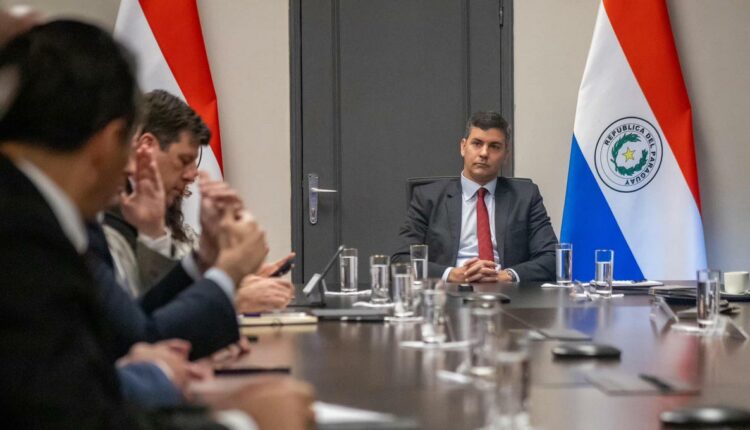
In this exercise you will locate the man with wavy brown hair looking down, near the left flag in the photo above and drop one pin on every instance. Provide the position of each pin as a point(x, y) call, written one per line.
point(145, 232)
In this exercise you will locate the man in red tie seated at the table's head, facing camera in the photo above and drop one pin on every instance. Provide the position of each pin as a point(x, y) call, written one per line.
point(481, 228)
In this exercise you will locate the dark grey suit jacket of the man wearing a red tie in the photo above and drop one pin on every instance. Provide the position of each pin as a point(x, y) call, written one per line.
point(524, 236)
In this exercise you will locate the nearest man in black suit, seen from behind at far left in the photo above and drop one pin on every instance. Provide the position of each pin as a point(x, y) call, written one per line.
point(64, 138)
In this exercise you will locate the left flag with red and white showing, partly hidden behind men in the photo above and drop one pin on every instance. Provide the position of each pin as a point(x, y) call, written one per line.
point(167, 40)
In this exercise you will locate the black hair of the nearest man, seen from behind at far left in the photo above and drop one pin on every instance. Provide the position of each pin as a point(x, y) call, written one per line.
point(74, 79)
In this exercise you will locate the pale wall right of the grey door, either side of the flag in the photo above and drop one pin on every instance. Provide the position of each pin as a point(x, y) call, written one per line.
point(552, 39)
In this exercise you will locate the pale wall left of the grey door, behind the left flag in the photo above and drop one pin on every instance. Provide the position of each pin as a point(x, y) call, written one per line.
point(247, 43)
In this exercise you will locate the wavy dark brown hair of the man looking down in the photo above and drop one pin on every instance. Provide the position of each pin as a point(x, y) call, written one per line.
point(166, 117)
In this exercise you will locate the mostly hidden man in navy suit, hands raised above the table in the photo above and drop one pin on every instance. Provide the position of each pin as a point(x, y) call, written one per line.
point(192, 302)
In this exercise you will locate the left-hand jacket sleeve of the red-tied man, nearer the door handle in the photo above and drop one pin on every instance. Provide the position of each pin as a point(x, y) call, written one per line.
point(414, 231)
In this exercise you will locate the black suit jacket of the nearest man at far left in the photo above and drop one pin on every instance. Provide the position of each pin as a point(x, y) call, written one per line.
point(55, 370)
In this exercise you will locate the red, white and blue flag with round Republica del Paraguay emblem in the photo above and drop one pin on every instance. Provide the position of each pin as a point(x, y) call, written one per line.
point(632, 181)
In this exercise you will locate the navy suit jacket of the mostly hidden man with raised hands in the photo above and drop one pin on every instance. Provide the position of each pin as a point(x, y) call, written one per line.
point(177, 307)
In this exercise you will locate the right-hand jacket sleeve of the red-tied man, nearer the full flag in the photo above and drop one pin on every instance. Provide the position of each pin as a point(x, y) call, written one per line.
point(541, 239)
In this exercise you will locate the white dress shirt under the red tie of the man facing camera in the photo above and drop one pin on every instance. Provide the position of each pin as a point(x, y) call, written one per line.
point(468, 245)
